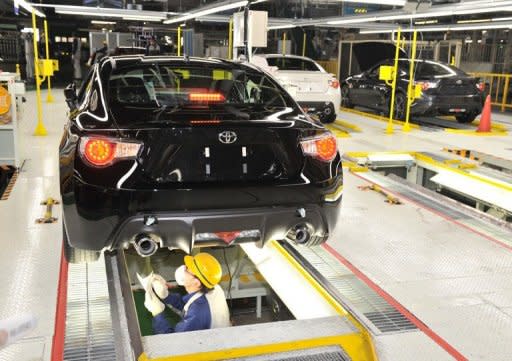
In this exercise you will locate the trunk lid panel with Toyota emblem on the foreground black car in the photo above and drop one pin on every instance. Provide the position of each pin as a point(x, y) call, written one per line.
point(223, 152)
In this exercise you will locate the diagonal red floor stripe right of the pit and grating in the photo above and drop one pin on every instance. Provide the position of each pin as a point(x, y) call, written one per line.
point(393, 302)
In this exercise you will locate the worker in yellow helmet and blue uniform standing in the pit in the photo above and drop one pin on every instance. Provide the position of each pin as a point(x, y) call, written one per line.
point(203, 307)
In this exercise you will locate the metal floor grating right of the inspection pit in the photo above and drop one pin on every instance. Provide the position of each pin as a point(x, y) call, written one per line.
point(375, 311)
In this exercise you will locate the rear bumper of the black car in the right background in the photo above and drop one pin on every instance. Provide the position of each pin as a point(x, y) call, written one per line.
point(445, 105)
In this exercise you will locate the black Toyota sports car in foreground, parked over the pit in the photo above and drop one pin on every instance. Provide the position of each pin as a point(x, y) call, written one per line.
point(184, 152)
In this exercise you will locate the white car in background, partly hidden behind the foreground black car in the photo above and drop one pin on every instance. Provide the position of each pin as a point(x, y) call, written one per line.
point(316, 91)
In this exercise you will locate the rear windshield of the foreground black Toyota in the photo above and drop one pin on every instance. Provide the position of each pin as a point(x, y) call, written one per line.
point(186, 86)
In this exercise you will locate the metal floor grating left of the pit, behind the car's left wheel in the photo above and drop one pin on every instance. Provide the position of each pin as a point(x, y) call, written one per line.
point(89, 333)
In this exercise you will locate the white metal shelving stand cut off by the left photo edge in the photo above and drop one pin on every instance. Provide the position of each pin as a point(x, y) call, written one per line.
point(9, 132)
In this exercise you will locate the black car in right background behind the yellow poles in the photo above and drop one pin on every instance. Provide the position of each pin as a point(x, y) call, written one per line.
point(446, 90)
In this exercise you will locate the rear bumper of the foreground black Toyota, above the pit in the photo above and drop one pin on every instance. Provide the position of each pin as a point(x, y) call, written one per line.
point(96, 218)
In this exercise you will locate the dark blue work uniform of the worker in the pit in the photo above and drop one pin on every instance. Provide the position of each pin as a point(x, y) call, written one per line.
point(198, 316)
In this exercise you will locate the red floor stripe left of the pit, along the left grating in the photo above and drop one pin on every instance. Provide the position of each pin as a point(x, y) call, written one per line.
point(60, 312)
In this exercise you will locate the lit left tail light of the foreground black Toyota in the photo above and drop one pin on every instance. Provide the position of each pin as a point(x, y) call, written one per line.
point(101, 152)
